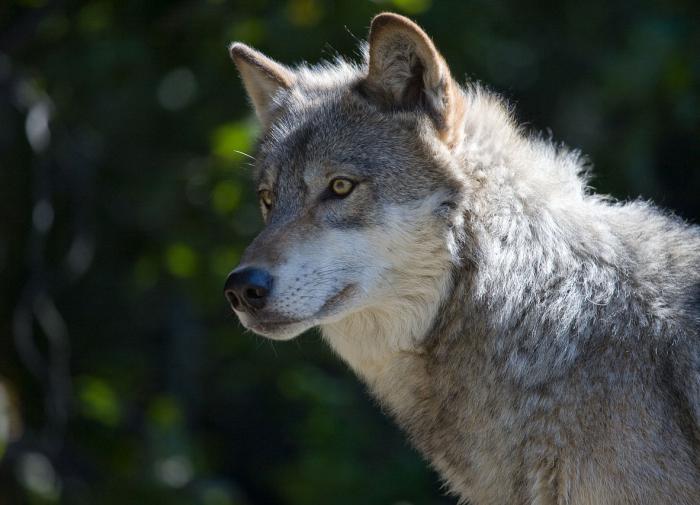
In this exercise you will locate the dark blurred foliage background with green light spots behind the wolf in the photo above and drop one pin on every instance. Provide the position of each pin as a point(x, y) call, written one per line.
point(123, 205)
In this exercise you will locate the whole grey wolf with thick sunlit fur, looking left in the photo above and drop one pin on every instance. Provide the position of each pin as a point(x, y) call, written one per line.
point(538, 343)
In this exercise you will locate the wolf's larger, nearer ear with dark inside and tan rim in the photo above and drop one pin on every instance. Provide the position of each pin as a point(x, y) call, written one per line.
point(407, 72)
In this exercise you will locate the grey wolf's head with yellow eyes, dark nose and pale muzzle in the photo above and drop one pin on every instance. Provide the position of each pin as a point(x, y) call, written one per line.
point(357, 185)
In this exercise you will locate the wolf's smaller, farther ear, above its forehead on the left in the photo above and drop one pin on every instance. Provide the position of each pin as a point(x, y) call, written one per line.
point(262, 77)
